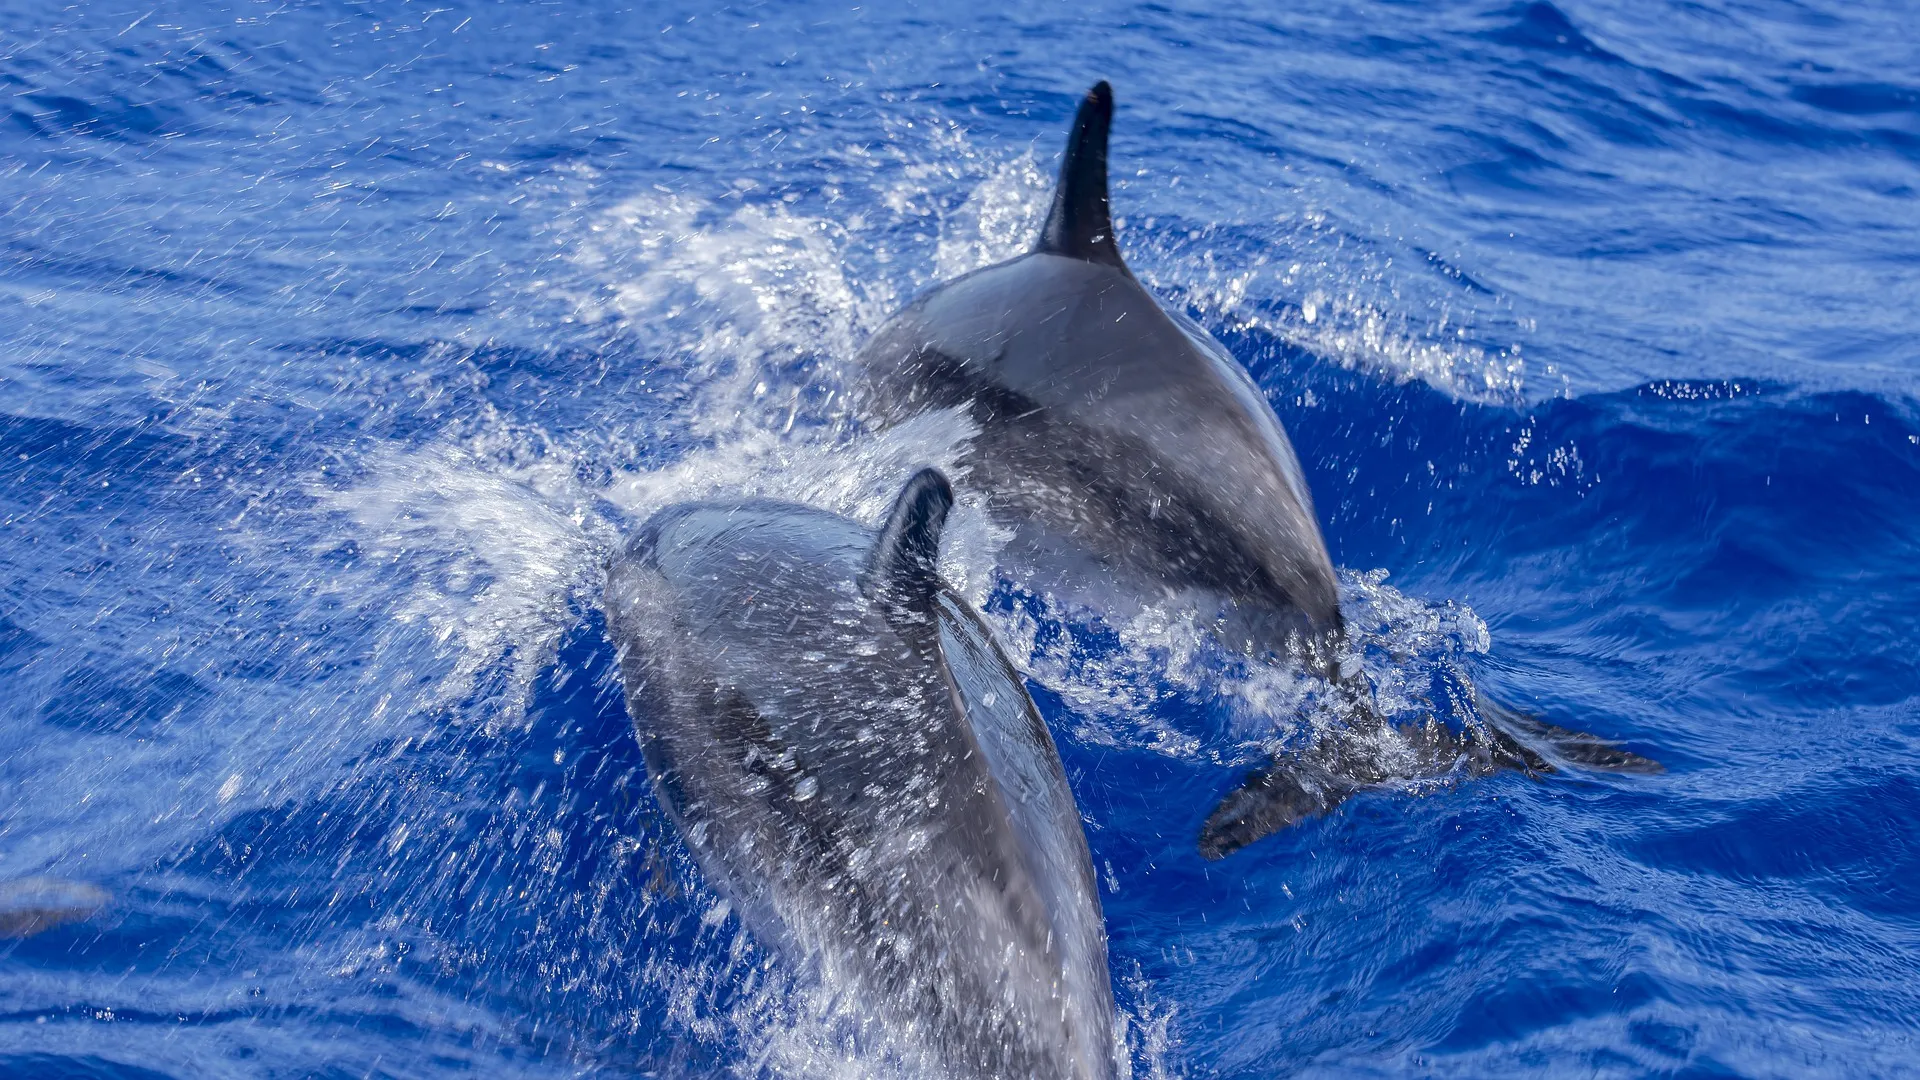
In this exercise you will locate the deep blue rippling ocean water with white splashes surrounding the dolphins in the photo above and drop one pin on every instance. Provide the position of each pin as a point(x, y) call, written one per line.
point(341, 341)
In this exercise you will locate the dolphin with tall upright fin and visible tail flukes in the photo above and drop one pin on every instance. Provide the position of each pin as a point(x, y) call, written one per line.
point(1130, 433)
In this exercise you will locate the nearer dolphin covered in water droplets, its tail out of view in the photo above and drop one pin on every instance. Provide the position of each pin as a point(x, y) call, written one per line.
point(859, 768)
